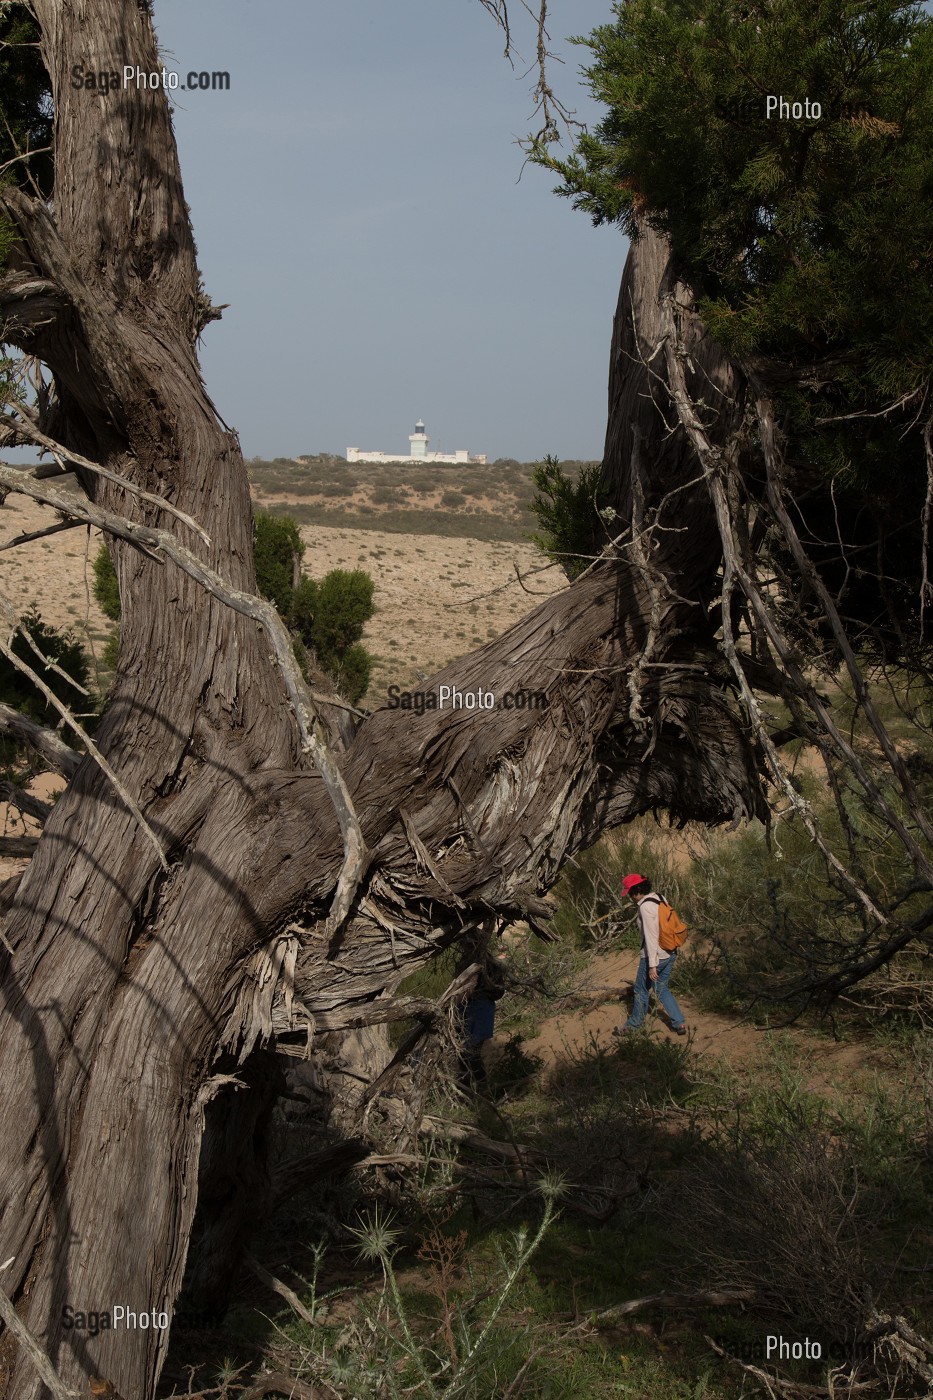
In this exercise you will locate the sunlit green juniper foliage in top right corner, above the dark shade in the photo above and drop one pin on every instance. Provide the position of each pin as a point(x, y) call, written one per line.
point(802, 234)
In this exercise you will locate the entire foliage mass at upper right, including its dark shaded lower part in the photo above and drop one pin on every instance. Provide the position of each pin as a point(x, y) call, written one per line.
point(809, 243)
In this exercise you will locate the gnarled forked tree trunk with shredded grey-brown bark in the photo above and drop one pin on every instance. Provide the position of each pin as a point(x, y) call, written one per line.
point(134, 990)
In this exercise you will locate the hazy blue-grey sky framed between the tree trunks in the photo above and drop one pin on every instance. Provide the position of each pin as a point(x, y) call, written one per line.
point(357, 201)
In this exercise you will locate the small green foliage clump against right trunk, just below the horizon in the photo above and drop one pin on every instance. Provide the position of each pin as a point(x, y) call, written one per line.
point(568, 512)
